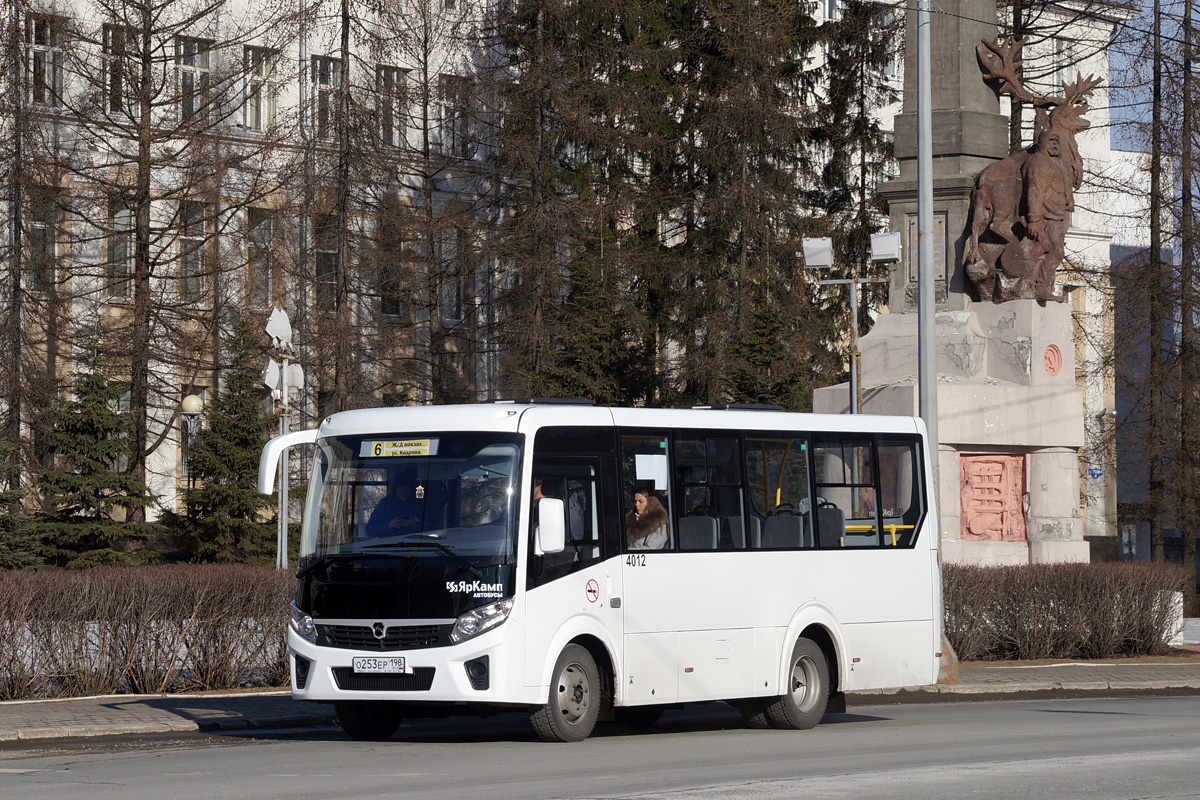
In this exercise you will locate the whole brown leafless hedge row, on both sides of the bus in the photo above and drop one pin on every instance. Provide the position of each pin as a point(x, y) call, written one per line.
point(169, 629)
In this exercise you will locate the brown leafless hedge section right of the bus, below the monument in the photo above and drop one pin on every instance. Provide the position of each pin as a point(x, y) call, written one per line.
point(1060, 611)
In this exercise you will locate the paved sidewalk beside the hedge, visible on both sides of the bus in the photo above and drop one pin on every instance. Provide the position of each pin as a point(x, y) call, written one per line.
point(141, 714)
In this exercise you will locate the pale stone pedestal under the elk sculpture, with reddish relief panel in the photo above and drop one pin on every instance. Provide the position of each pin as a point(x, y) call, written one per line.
point(1011, 423)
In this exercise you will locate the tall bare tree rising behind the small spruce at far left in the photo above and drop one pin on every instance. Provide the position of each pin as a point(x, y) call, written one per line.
point(139, 164)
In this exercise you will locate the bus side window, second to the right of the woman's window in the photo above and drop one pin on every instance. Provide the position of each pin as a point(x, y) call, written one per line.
point(778, 483)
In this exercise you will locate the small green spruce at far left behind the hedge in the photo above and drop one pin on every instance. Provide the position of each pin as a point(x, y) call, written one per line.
point(88, 496)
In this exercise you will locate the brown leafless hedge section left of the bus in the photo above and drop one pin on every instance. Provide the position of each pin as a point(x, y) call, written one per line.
point(153, 629)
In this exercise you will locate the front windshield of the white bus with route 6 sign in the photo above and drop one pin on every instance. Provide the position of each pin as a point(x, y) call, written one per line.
point(437, 494)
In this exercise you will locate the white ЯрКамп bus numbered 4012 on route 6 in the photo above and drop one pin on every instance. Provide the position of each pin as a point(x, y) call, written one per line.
point(488, 558)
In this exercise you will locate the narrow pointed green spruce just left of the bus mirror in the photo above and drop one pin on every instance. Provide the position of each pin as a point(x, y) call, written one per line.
point(225, 518)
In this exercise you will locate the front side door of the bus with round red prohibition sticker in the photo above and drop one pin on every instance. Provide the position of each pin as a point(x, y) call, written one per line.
point(575, 590)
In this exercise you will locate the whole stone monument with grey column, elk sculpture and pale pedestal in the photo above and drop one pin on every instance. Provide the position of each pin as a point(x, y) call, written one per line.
point(1011, 419)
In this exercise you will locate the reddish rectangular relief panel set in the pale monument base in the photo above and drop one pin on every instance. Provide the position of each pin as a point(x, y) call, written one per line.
point(992, 498)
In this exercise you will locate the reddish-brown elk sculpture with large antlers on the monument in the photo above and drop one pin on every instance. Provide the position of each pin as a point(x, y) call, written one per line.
point(1021, 208)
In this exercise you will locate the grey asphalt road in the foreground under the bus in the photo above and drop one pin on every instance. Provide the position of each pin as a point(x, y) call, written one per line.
point(1097, 749)
